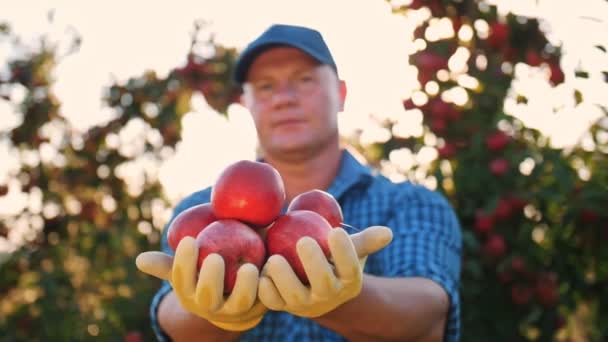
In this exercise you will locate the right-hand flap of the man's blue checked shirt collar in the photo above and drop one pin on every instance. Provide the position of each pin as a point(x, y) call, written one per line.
point(350, 173)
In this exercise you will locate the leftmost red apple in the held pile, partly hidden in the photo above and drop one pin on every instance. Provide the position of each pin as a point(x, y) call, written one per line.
point(189, 222)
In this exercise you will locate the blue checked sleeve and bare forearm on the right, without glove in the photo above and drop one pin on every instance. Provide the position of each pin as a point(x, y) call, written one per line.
point(414, 296)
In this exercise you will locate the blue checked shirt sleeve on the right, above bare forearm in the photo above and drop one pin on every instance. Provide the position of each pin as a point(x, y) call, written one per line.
point(427, 243)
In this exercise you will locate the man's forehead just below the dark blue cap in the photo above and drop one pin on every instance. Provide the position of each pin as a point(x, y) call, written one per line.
point(281, 57)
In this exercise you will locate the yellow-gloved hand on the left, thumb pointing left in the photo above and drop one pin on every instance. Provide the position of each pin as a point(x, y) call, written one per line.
point(204, 297)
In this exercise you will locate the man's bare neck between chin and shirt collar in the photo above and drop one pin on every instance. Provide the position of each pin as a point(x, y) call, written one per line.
point(304, 174)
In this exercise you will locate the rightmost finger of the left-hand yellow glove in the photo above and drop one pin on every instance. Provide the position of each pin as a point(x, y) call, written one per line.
point(245, 290)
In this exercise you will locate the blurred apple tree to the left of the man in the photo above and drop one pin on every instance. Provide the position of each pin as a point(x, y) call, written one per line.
point(84, 204)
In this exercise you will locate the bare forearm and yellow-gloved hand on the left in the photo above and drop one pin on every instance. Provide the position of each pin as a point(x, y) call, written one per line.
point(197, 303)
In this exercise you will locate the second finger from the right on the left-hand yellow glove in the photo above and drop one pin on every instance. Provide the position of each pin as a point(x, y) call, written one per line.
point(210, 286)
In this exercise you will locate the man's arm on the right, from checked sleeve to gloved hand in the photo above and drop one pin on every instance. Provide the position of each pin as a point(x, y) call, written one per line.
point(413, 297)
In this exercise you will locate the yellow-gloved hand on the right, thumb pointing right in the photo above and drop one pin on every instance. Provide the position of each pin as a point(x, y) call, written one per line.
point(330, 285)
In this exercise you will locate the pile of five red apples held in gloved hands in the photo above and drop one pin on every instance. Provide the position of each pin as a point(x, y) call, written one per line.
point(243, 222)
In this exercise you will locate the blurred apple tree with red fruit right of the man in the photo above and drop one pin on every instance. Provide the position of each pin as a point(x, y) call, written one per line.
point(533, 215)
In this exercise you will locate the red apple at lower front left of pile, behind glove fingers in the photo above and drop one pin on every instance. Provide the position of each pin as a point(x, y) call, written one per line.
point(236, 242)
